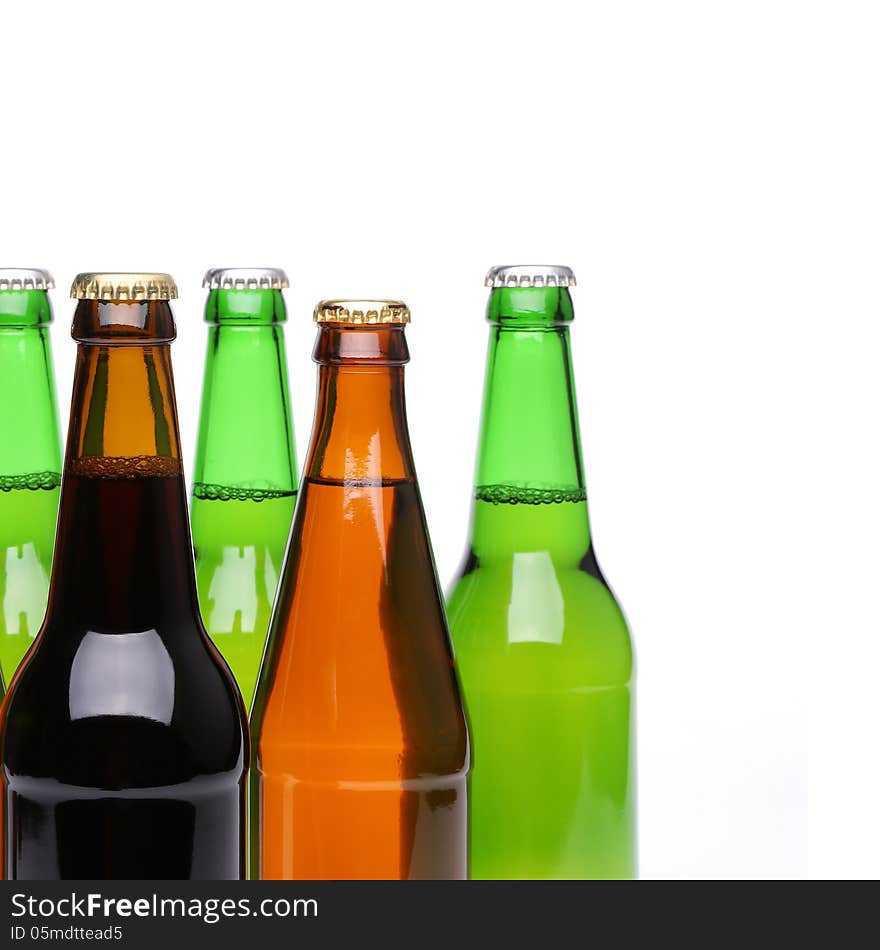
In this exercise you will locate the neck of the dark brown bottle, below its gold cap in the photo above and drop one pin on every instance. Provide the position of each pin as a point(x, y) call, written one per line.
point(123, 559)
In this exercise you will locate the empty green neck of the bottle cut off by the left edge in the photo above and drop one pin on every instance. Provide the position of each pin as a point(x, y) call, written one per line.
point(30, 451)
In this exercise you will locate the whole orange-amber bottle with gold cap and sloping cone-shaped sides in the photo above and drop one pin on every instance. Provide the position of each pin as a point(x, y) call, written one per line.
point(360, 741)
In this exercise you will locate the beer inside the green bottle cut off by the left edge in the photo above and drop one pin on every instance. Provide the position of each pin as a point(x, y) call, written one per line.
point(28, 509)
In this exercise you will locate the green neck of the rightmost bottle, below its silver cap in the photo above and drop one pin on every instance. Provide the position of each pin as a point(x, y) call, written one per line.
point(530, 491)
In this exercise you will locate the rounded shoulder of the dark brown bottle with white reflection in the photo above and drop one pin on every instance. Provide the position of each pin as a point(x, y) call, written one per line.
point(146, 708)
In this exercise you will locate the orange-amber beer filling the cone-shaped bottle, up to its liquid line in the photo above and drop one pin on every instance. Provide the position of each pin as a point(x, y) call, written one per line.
point(362, 757)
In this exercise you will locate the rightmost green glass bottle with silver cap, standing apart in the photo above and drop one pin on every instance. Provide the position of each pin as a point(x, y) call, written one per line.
point(543, 648)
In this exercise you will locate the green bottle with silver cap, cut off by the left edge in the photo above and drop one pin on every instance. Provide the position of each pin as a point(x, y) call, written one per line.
point(30, 460)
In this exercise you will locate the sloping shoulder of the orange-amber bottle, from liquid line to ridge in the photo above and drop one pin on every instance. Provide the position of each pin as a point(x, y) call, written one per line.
point(358, 672)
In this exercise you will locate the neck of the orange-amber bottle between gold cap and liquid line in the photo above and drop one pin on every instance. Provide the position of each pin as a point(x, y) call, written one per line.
point(360, 434)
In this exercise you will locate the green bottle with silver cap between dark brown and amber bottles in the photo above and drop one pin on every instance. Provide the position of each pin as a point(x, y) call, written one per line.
point(245, 472)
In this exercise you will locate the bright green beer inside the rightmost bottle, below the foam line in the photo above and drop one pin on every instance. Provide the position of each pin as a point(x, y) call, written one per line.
point(545, 652)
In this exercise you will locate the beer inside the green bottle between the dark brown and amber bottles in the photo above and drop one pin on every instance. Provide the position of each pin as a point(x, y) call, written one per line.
point(239, 554)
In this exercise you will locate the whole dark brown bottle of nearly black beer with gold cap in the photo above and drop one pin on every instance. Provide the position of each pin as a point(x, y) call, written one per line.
point(124, 742)
